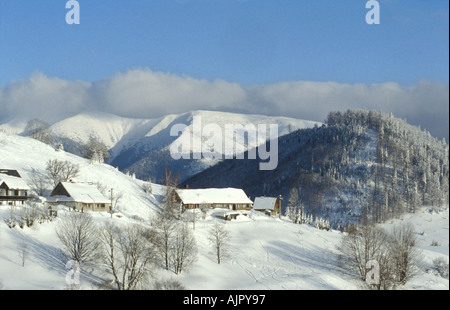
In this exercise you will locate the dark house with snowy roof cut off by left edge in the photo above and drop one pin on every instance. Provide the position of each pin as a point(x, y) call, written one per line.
point(13, 189)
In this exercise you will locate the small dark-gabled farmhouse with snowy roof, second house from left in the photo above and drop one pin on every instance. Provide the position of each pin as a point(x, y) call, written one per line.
point(79, 196)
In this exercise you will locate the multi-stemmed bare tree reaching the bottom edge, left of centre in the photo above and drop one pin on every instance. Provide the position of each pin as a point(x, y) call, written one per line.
point(128, 254)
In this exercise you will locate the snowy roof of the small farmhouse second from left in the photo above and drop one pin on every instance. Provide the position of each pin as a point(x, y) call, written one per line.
point(81, 192)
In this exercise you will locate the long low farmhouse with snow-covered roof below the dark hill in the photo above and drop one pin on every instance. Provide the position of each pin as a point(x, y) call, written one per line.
point(226, 198)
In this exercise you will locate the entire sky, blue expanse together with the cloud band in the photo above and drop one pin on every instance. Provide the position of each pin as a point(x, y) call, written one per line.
point(265, 55)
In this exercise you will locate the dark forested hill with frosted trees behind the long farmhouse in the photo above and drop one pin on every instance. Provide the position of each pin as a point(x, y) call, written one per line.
point(359, 166)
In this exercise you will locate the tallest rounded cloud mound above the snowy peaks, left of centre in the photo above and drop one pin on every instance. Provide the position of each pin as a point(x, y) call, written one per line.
point(143, 93)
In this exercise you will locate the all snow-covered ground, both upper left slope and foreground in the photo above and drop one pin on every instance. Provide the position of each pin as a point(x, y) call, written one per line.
point(266, 253)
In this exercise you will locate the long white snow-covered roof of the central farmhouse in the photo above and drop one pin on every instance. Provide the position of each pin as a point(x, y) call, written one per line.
point(213, 195)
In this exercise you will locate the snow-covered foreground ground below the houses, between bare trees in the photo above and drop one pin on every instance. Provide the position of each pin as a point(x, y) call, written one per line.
point(265, 254)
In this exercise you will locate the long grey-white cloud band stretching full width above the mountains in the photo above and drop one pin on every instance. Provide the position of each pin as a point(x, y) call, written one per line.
point(146, 94)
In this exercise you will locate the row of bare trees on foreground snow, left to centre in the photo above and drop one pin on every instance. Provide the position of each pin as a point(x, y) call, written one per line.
point(130, 252)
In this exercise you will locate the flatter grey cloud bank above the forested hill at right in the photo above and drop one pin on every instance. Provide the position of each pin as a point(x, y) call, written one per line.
point(425, 103)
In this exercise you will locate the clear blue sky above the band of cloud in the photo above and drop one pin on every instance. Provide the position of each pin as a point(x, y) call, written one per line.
point(243, 41)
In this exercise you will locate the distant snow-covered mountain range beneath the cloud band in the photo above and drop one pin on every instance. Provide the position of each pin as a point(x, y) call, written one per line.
point(141, 146)
